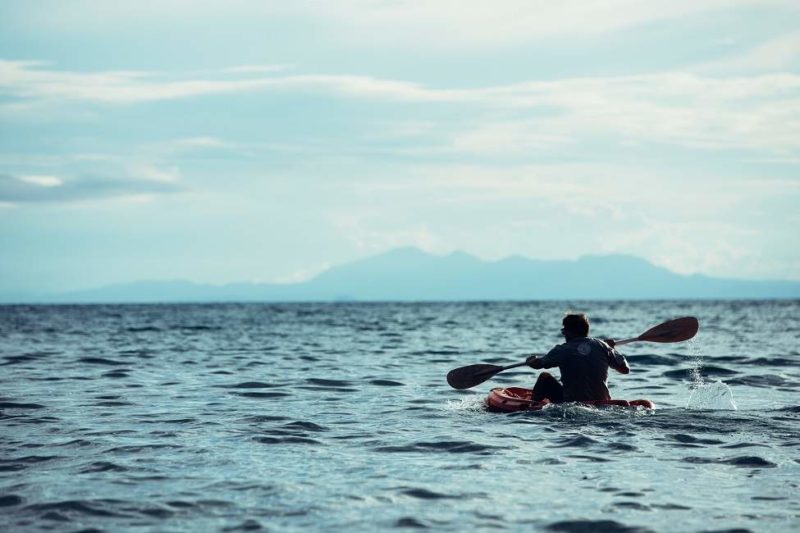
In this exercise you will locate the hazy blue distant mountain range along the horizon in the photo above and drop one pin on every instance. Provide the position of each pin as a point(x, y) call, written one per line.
point(409, 274)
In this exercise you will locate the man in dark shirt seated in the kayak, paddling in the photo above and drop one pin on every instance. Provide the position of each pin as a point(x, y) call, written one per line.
point(583, 362)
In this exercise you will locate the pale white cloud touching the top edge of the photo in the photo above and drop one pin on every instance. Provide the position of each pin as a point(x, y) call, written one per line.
point(478, 24)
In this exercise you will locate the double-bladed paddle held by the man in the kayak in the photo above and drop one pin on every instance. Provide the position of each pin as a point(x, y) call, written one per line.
point(677, 330)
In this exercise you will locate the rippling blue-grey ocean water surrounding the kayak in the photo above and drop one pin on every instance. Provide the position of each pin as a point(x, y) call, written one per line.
point(338, 417)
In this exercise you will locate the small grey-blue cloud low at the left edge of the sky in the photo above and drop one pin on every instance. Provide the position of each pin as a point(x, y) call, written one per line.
point(52, 189)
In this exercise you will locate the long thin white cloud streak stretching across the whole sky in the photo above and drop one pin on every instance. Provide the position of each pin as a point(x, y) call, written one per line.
point(31, 80)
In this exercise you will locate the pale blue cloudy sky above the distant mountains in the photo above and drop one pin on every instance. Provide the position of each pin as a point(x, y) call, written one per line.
point(266, 141)
